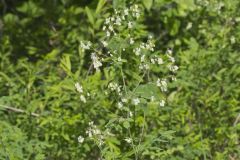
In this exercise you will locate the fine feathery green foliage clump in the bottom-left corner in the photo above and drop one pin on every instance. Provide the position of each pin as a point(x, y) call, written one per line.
point(15, 144)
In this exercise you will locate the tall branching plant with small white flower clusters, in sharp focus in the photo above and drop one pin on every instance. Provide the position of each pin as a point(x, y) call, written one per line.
point(141, 78)
